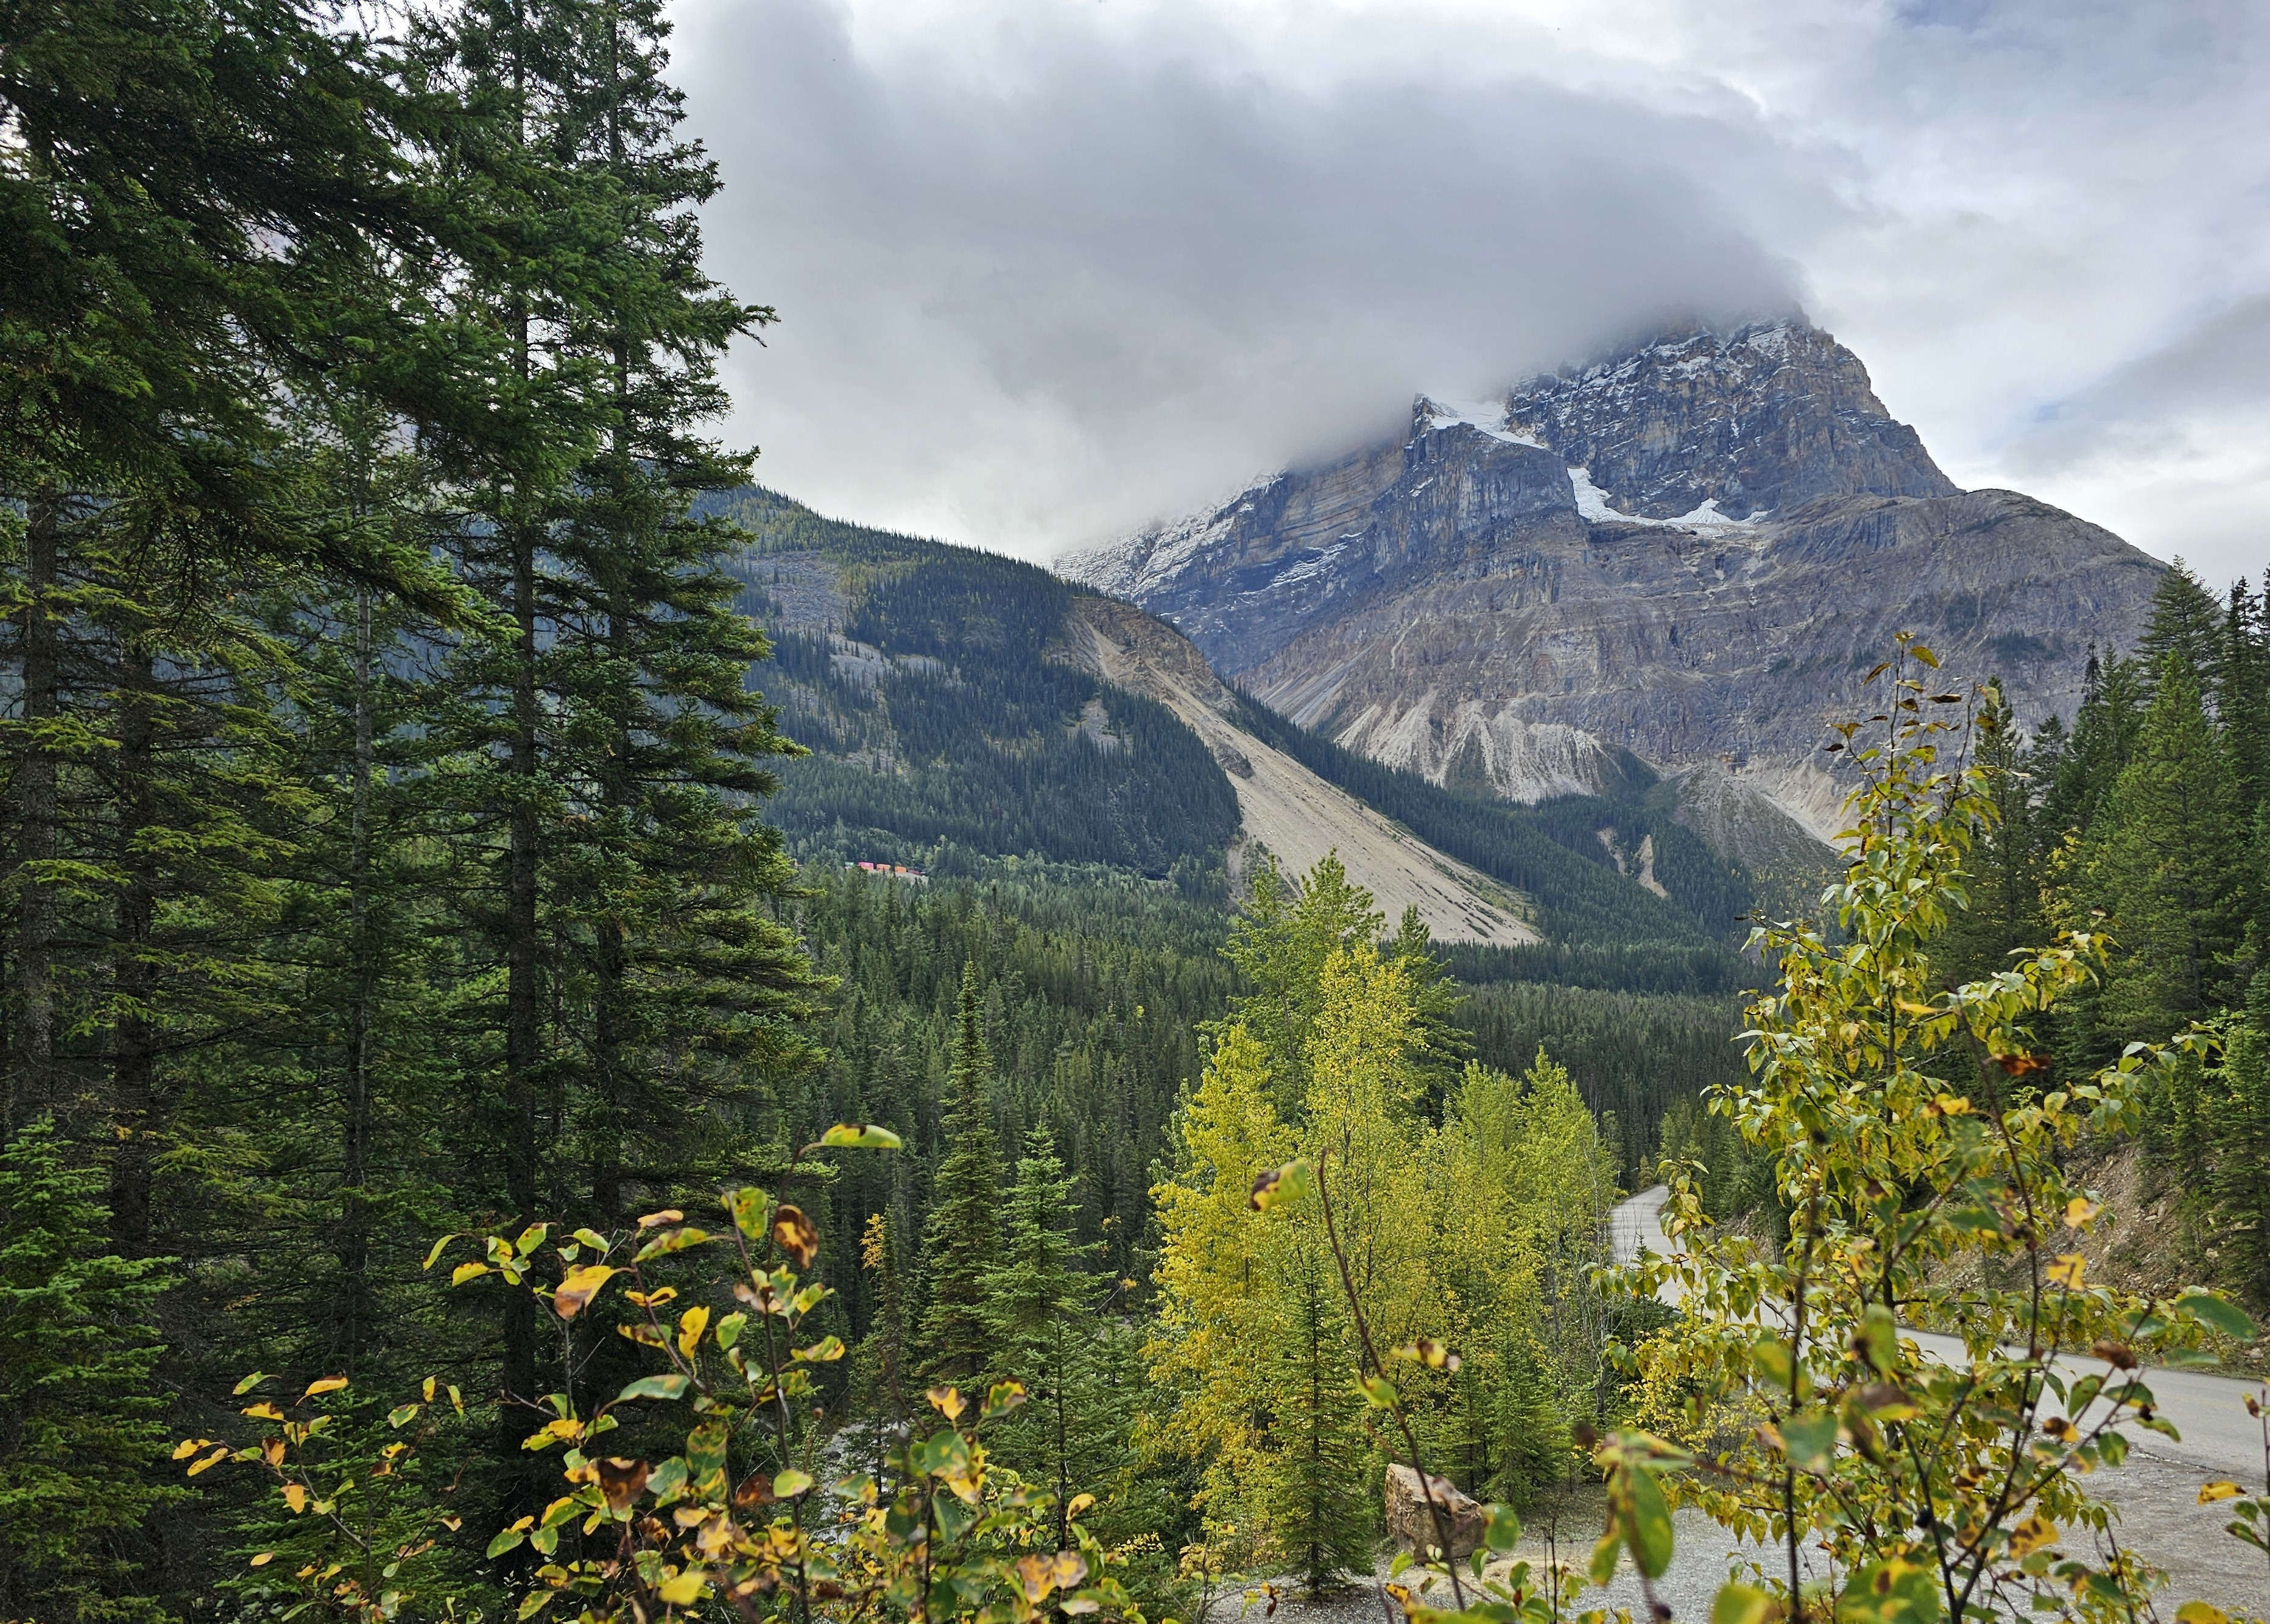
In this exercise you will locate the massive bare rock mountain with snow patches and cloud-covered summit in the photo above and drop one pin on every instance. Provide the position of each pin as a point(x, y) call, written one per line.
point(1685, 555)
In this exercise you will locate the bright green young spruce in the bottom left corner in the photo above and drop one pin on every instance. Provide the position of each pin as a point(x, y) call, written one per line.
point(81, 1416)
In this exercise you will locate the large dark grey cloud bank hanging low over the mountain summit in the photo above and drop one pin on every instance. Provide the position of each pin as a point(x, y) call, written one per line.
point(1107, 280)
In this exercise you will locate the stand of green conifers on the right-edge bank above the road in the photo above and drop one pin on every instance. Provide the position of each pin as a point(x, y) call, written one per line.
point(2151, 818)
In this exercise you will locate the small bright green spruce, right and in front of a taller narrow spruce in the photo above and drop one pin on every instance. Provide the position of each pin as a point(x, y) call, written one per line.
point(1041, 1305)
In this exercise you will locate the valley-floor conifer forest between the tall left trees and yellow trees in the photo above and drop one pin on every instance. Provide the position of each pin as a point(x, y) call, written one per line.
point(1091, 988)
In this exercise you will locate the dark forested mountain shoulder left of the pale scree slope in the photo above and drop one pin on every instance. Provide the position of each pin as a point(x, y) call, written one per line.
point(927, 686)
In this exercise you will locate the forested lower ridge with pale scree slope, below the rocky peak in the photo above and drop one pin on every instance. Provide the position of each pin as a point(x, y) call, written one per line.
point(964, 707)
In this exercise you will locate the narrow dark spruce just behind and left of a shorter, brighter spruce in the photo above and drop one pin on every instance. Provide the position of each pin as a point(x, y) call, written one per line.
point(964, 1230)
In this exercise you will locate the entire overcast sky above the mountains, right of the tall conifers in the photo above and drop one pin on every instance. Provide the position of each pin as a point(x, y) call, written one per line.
point(1050, 269)
